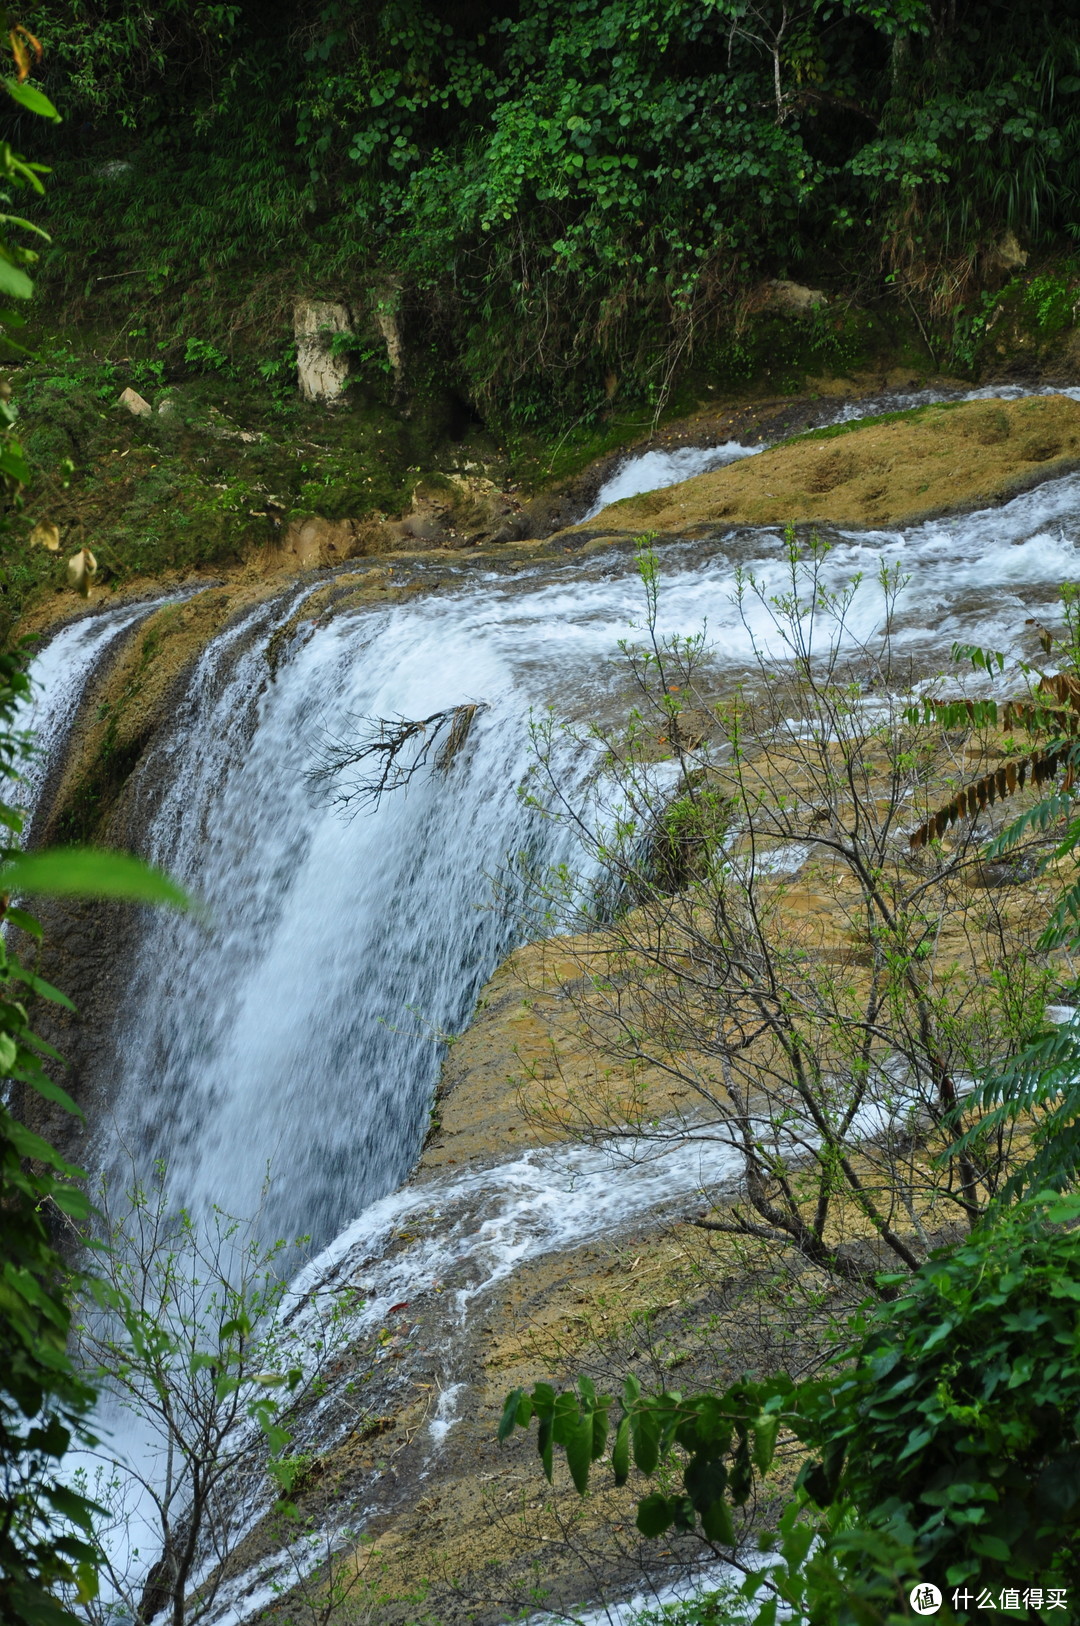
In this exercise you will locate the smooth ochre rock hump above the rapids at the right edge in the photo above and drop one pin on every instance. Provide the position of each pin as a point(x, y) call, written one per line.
point(889, 472)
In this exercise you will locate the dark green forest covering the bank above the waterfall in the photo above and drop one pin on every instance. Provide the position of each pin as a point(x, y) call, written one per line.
point(555, 201)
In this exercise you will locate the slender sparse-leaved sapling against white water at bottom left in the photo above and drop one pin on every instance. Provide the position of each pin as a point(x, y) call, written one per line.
point(185, 1333)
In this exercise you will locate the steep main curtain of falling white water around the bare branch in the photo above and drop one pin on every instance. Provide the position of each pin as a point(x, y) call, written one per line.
point(300, 1032)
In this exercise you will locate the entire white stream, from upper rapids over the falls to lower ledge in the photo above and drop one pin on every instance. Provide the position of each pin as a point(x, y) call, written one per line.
point(282, 1056)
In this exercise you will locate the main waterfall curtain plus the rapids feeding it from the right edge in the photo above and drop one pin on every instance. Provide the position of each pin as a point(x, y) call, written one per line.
point(298, 1032)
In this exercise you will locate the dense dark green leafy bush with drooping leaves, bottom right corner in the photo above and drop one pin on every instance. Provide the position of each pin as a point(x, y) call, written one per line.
point(944, 1445)
